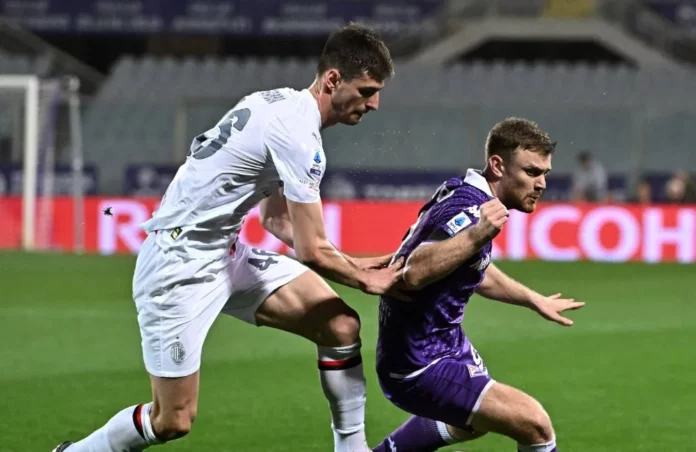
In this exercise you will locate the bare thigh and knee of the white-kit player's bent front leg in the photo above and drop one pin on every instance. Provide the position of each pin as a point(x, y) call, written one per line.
point(309, 307)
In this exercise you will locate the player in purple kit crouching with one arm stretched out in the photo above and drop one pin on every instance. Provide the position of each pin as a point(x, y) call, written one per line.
point(425, 363)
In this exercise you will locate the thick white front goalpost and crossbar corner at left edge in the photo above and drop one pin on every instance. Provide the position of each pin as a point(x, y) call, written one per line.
point(30, 84)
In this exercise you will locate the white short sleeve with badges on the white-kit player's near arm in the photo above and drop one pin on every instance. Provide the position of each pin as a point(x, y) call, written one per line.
point(298, 157)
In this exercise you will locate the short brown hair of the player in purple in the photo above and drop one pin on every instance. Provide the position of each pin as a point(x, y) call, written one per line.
point(513, 133)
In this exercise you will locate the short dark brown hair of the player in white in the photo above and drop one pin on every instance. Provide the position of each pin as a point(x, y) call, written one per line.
point(355, 50)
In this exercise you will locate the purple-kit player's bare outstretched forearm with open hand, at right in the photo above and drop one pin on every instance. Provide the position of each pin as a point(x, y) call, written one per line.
point(498, 286)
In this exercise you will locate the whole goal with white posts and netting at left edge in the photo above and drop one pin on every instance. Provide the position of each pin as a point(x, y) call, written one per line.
point(39, 132)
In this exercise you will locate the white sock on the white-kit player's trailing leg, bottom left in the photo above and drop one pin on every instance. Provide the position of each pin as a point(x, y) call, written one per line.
point(122, 433)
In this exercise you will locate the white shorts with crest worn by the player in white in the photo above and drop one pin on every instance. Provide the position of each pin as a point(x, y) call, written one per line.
point(178, 298)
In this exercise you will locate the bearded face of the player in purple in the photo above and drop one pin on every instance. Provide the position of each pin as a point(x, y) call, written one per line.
point(524, 180)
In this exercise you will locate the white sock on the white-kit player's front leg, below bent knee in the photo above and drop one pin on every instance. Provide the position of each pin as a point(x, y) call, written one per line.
point(343, 382)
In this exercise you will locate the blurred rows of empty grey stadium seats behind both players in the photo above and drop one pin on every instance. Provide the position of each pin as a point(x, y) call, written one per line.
point(603, 108)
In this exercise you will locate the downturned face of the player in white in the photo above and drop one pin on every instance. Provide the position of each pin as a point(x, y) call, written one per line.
point(351, 100)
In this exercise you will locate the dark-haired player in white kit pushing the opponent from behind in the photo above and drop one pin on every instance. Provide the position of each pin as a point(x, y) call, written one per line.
point(267, 150)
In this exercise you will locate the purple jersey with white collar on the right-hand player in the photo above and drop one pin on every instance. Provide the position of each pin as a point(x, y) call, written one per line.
point(414, 334)
